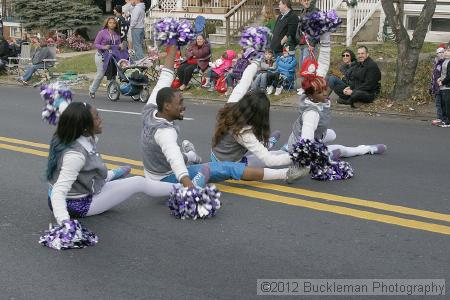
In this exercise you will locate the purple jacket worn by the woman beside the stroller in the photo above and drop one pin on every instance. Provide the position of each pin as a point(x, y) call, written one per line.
point(103, 39)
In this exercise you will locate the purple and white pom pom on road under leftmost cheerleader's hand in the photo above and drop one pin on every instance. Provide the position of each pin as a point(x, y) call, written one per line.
point(69, 235)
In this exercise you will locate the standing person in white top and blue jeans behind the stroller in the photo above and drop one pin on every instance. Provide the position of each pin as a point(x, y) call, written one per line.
point(137, 28)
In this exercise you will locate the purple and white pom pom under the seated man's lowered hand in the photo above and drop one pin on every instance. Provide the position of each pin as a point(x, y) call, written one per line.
point(194, 203)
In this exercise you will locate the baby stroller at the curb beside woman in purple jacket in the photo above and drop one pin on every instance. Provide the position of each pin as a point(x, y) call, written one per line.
point(133, 83)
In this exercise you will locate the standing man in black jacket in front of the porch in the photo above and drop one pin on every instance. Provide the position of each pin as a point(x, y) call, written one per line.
point(285, 28)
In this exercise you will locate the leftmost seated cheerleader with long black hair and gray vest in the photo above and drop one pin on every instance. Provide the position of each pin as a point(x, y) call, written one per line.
point(79, 183)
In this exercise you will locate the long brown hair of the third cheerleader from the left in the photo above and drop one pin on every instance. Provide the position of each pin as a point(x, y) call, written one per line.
point(253, 109)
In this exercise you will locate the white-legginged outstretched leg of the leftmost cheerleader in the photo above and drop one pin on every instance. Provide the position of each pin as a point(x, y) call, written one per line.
point(117, 191)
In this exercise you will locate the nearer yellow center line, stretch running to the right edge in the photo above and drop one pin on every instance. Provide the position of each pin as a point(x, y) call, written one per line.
point(360, 214)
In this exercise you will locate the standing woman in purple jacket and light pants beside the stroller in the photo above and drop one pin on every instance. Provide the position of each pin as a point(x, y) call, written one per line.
point(107, 43)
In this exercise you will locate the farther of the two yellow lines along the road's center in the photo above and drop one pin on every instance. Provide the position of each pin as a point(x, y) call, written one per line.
point(268, 186)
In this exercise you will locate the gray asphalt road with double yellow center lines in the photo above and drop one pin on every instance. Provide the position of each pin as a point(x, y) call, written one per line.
point(267, 231)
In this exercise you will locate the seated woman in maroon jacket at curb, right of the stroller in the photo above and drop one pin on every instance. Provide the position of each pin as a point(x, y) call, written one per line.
point(198, 55)
